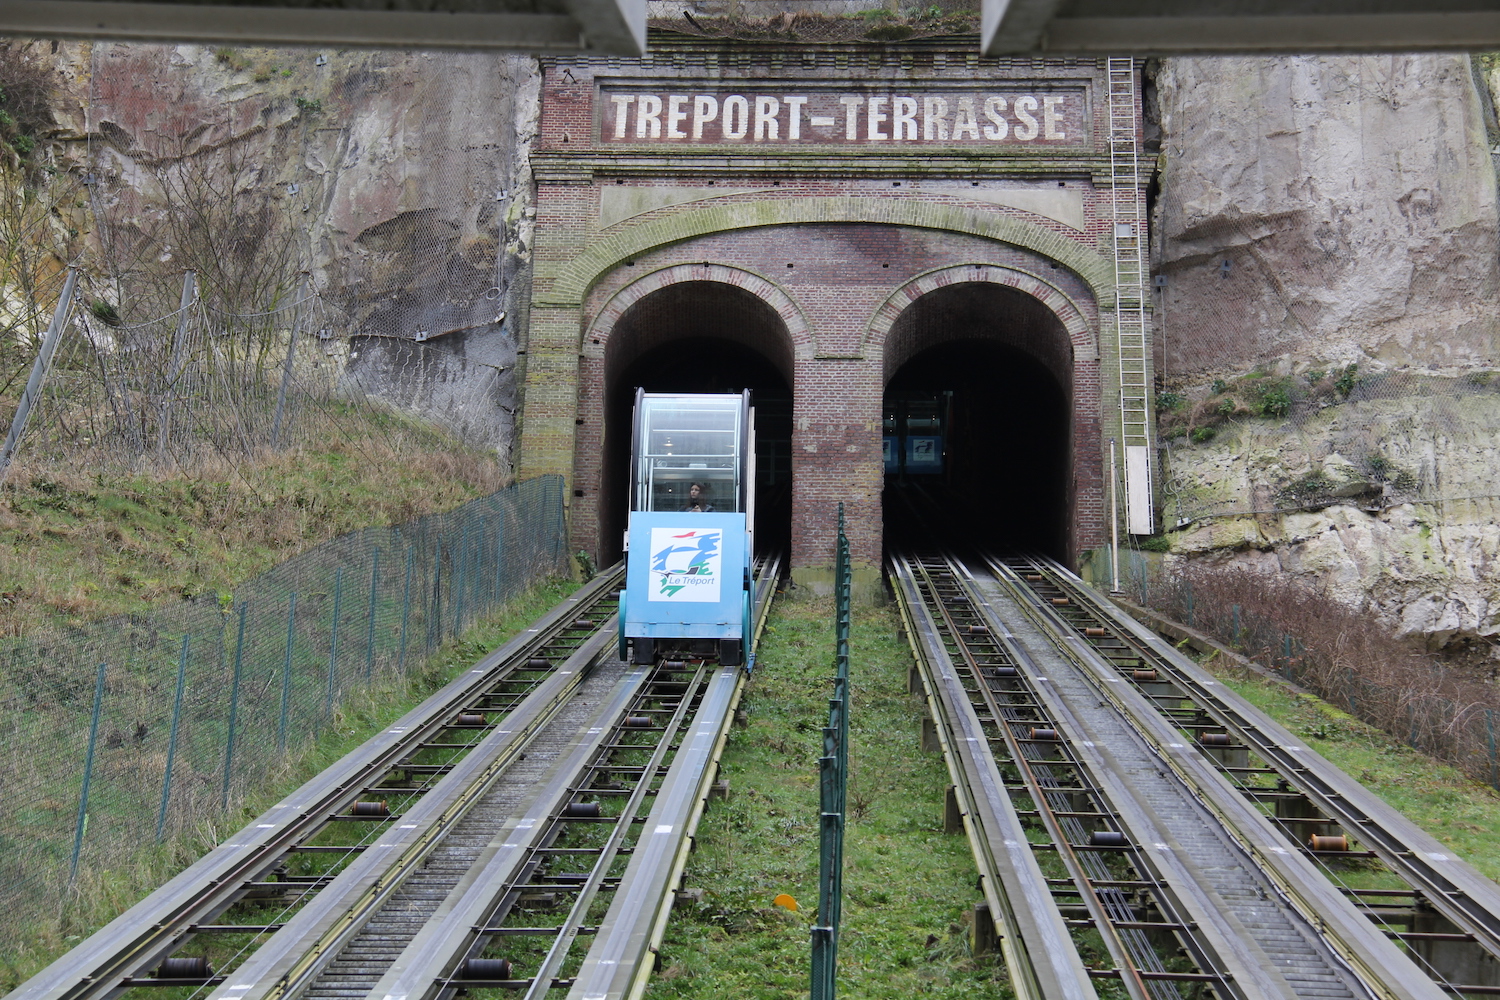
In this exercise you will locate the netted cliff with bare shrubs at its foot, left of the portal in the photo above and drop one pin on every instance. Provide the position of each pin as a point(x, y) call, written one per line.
point(331, 259)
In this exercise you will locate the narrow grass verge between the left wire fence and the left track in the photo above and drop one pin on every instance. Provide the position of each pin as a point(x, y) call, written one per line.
point(101, 896)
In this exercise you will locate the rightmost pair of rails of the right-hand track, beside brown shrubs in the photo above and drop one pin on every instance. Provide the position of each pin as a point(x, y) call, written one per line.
point(1444, 915)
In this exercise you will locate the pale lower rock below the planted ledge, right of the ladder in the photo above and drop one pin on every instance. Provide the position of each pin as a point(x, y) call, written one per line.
point(1421, 549)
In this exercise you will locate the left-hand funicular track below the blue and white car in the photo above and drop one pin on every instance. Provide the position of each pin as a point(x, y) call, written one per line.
point(542, 801)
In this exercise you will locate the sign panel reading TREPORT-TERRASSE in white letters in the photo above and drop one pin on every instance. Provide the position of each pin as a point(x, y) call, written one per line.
point(1016, 116)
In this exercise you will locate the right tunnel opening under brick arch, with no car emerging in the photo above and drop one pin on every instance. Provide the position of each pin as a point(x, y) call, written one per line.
point(977, 406)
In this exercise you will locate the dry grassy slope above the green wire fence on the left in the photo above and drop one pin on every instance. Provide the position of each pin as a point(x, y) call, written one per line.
point(79, 546)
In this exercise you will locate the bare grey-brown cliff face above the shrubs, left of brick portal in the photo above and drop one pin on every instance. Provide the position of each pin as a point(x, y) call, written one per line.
point(401, 179)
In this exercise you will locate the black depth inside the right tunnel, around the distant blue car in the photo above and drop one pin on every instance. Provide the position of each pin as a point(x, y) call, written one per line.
point(1004, 484)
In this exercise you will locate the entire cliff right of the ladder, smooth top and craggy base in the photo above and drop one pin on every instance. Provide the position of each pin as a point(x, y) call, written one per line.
point(1313, 215)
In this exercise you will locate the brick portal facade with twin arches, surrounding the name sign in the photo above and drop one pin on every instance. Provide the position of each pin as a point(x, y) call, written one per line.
point(838, 284)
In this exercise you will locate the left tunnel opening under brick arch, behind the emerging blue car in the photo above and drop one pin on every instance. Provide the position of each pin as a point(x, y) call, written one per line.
point(700, 338)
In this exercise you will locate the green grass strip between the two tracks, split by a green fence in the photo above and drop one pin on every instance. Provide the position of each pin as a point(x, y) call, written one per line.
point(910, 888)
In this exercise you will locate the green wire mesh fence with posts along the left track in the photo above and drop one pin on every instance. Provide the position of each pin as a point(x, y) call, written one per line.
point(137, 729)
